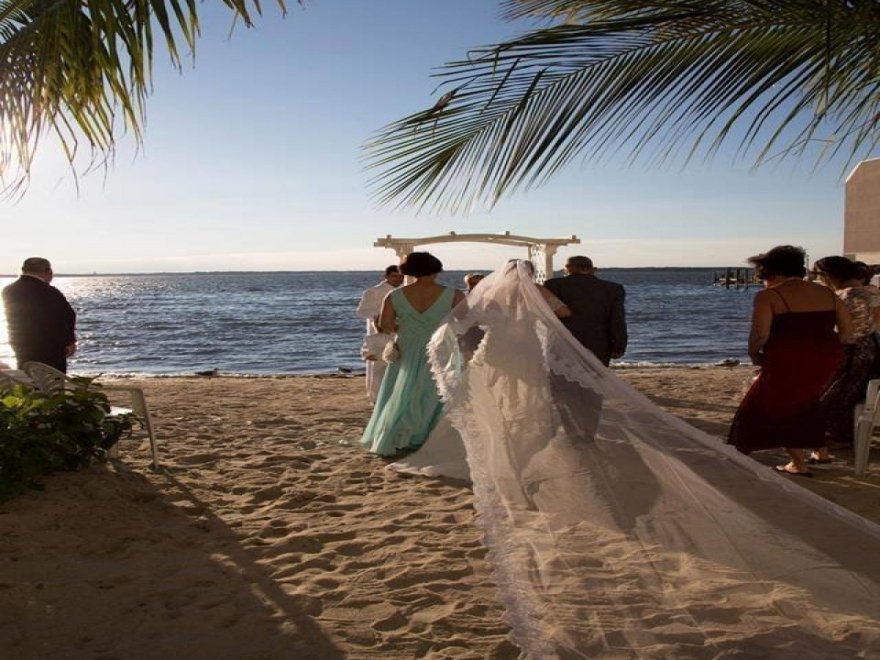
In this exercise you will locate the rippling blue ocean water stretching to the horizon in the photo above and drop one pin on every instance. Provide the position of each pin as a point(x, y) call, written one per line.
point(304, 322)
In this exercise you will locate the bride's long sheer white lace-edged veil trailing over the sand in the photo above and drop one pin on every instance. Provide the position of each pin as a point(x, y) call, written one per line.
point(617, 530)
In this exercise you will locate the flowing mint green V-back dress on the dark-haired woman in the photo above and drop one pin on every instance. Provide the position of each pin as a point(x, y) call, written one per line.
point(408, 406)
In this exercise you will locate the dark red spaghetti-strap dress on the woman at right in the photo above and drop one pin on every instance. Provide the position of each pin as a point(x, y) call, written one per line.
point(781, 408)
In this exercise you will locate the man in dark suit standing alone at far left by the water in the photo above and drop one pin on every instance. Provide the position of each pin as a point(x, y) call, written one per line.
point(40, 320)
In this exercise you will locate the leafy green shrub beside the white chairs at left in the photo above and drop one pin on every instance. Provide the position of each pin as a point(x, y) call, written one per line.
point(44, 432)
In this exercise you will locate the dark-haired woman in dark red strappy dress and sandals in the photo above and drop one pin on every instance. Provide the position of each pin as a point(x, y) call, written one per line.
point(796, 335)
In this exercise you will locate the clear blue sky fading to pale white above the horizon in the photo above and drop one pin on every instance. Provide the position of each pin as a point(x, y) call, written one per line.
point(252, 161)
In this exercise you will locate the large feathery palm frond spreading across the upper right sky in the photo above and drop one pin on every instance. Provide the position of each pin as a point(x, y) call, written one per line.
point(662, 80)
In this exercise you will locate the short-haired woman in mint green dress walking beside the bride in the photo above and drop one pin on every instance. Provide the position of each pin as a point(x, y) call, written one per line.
point(408, 406)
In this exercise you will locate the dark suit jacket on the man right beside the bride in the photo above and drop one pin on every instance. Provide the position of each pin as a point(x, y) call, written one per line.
point(597, 320)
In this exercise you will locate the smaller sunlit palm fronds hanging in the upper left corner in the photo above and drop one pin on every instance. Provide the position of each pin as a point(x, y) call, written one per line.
point(81, 70)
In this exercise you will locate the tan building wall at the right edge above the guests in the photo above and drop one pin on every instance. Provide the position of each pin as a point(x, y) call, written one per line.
point(861, 212)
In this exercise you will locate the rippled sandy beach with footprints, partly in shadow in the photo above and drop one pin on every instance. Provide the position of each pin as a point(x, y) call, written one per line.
point(270, 534)
